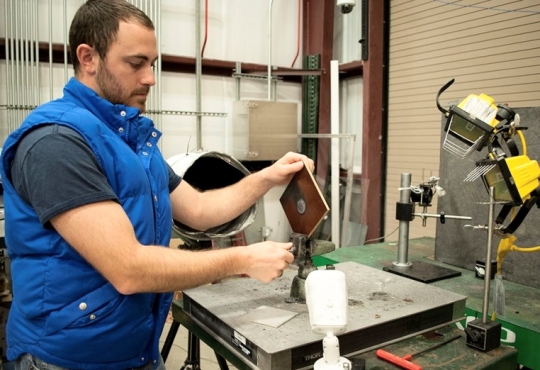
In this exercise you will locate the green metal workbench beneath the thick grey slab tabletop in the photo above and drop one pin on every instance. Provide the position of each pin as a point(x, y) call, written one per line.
point(450, 356)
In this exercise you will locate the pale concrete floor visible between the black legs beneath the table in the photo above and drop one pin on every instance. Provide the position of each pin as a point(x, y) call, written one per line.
point(178, 354)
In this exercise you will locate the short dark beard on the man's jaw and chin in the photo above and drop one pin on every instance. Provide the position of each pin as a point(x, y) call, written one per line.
point(111, 89)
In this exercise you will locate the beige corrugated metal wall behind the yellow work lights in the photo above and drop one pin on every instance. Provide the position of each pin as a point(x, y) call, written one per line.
point(490, 47)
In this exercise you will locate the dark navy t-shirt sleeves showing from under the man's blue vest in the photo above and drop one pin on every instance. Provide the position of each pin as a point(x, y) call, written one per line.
point(54, 170)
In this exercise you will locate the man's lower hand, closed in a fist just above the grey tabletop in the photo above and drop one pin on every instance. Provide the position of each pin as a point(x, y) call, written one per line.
point(266, 261)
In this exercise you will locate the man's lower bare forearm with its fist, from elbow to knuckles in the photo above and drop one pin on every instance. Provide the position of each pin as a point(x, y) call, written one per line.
point(158, 269)
